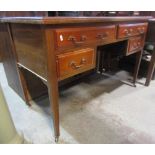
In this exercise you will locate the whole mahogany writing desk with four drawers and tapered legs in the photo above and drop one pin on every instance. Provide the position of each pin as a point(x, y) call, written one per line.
point(56, 48)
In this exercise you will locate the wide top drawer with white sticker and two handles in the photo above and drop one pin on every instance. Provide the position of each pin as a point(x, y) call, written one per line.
point(73, 37)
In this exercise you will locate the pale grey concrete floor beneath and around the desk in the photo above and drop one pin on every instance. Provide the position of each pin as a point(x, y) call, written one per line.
point(98, 110)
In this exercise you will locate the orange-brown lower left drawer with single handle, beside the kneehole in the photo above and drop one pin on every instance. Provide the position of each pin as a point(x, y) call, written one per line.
point(75, 62)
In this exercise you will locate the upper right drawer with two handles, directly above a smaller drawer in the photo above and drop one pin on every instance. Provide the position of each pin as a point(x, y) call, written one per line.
point(128, 30)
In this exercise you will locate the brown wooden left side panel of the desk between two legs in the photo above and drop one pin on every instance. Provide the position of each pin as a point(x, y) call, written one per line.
point(30, 47)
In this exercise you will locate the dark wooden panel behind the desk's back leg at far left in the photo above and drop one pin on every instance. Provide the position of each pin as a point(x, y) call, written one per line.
point(9, 61)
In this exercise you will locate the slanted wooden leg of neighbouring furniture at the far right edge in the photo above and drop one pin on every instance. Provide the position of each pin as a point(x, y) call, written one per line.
point(150, 70)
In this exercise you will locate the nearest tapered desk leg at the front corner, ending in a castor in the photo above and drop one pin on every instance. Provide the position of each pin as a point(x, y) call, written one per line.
point(52, 82)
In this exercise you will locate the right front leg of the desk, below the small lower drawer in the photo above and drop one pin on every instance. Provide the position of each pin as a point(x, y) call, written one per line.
point(137, 65)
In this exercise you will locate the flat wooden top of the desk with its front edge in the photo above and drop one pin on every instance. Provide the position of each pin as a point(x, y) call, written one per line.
point(72, 20)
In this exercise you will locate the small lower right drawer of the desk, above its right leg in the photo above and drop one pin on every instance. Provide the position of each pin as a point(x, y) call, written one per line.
point(135, 44)
